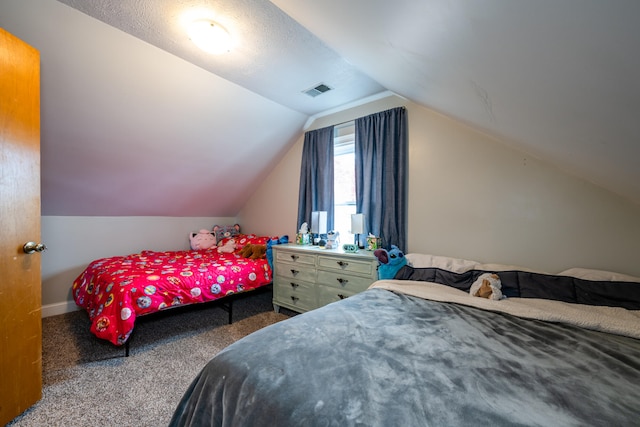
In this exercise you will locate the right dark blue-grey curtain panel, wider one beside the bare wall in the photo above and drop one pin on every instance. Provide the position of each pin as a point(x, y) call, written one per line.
point(381, 175)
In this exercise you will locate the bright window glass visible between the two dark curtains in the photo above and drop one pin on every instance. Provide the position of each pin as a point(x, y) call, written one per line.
point(344, 179)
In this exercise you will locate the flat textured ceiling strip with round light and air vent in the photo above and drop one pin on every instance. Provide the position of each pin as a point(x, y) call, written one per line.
point(274, 56)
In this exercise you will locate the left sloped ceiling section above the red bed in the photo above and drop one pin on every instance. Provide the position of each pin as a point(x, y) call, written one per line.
point(131, 130)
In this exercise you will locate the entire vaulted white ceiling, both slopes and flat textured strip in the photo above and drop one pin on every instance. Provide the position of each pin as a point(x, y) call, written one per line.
point(136, 120)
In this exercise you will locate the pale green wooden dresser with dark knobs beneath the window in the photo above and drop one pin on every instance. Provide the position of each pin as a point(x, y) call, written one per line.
point(308, 277)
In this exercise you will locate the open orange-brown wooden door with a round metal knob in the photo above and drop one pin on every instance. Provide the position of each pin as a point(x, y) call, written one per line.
point(20, 278)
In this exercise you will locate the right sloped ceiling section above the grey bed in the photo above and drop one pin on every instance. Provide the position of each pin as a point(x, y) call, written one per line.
point(556, 79)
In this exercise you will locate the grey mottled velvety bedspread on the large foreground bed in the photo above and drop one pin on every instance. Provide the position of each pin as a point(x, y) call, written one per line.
point(381, 358)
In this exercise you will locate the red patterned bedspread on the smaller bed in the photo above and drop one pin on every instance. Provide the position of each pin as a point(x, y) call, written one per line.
point(116, 290)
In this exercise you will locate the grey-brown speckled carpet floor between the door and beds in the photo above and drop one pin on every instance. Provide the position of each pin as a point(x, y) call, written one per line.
point(87, 382)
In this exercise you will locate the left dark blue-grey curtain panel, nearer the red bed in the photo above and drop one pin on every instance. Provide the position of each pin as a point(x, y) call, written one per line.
point(316, 176)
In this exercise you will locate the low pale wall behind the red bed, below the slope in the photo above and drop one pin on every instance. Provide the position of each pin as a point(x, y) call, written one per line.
point(73, 242)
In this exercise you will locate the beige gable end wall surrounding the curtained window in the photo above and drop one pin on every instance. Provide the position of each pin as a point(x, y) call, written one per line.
point(472, 196)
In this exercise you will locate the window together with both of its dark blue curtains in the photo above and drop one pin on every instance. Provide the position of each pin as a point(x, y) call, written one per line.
point(380, 158)
